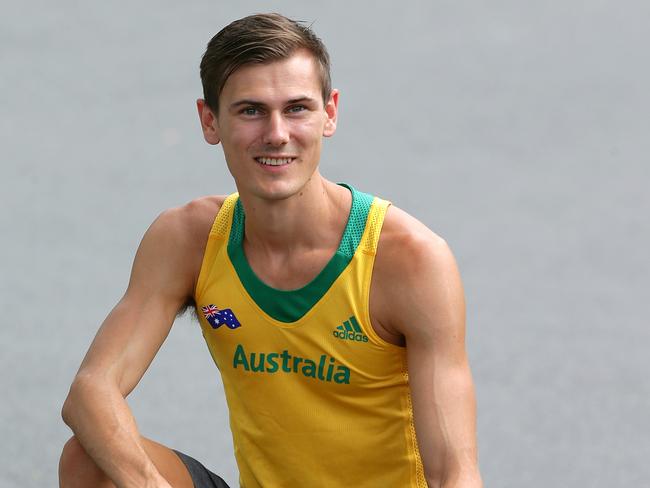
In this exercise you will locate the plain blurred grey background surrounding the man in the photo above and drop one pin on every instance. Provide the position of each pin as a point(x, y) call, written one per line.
point(517, 130)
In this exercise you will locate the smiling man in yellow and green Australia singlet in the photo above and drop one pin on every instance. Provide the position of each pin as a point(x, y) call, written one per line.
point(336, 320)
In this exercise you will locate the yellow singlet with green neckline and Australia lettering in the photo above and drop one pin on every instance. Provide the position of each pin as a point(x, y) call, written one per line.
point(316, 397)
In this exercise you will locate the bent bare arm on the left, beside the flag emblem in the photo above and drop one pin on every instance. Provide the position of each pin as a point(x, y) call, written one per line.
point(162, 280)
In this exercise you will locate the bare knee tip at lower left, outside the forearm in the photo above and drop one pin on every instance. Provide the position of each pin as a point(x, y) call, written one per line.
point(77, 469)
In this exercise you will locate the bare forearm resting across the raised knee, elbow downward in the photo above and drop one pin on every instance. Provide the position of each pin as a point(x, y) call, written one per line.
point(103, 423)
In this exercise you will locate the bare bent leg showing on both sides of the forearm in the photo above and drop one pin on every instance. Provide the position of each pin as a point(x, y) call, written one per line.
point(77, 469)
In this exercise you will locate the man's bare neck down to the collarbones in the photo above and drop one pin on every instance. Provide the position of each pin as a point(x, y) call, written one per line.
point(313, 218)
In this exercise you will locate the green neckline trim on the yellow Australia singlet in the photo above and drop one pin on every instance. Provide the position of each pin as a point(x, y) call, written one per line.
point(289, 305)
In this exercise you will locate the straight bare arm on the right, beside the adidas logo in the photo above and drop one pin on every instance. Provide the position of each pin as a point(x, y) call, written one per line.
point(429, 312)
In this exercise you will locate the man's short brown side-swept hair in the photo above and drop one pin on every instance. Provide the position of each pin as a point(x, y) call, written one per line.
point(260, 38)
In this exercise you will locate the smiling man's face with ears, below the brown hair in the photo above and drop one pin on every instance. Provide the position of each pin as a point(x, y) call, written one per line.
point(271, 123)
